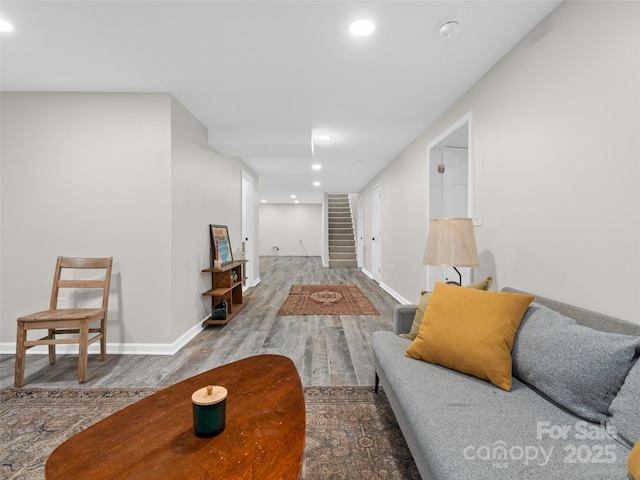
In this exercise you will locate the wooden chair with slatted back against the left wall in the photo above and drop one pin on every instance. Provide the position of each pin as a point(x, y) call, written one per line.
point(65, 321)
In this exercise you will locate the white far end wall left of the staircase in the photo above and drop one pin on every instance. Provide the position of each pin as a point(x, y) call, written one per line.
point(285, 226)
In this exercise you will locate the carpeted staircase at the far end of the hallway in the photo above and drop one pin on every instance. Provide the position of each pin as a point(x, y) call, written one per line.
point(342, 244)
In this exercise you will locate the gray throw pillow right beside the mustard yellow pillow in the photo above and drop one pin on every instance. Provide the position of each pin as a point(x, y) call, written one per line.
point(580, 368)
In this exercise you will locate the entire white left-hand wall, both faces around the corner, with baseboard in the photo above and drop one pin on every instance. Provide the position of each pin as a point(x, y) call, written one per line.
point(102, 174)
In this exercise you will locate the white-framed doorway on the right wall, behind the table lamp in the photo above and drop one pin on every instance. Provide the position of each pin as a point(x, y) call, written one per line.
point(450, 184)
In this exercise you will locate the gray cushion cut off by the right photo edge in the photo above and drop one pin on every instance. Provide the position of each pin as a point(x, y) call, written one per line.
point(624, 409)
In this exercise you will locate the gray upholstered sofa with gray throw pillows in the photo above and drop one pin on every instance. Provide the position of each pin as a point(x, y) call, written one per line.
point(573, 411)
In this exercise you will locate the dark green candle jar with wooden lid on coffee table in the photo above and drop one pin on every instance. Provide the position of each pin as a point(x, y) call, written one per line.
point(209, 410)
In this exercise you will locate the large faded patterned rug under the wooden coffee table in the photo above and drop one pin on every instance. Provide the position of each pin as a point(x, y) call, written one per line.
point(352, 433)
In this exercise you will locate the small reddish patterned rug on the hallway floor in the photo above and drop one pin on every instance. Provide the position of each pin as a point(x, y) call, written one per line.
point(326, 300)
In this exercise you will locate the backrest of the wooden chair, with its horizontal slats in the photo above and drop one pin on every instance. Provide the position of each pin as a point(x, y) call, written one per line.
point(82, 263)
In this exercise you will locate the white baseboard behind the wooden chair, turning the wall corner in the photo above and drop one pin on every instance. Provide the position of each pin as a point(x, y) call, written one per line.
point(116, 348)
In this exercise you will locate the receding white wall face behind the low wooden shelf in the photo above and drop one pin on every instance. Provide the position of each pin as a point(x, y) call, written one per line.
point(206, 189)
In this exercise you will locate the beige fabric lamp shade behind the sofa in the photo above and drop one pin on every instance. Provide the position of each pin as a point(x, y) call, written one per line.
point(451, 243)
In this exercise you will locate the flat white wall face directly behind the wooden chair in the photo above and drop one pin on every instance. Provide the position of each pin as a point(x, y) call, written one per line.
point(87, 175)
